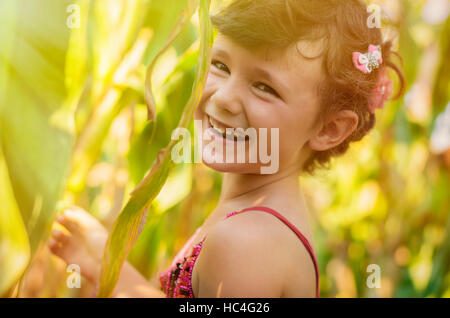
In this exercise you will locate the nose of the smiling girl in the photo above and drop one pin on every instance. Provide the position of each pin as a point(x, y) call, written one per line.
point(228, 98)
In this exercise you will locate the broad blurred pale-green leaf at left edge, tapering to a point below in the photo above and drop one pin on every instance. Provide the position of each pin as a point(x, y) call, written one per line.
point(36, 148)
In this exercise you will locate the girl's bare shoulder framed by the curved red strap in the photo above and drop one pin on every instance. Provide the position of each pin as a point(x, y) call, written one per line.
point(248, 255)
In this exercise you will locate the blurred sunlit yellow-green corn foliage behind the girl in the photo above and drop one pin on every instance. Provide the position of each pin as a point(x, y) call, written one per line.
point(74, 130)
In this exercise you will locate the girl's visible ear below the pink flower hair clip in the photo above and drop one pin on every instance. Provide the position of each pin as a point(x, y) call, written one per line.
point(335, 129)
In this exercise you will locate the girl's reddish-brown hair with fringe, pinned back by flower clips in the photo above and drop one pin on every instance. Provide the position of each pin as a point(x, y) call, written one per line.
point(342, 24)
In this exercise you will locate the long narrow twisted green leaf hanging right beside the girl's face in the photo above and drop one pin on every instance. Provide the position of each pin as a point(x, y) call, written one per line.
point(129, 223)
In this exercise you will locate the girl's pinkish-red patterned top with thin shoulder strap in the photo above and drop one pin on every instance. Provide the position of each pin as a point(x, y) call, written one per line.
point(176, 281)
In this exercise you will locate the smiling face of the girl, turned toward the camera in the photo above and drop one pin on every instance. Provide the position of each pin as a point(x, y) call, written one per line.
point(269, 88)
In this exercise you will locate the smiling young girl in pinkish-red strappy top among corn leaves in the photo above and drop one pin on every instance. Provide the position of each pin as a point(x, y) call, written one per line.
point(313, 70)
